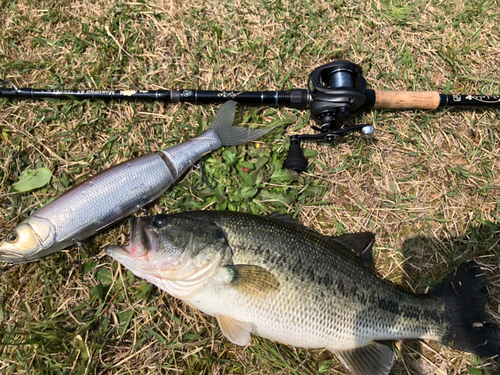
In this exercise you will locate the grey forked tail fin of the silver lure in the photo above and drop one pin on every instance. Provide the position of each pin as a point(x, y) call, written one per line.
point(233, 135)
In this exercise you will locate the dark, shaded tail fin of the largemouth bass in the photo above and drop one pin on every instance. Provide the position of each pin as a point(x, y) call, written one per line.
point(465, 295)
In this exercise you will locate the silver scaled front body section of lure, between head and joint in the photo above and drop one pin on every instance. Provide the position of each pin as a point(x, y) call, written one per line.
point(106, 192)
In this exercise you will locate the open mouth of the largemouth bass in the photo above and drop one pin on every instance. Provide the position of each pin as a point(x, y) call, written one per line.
point(142, 241)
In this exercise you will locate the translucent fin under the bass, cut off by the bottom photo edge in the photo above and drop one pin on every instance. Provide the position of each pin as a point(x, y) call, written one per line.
point(372, 359)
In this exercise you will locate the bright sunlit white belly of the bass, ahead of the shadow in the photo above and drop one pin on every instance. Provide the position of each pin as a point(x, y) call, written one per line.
point(283, 316)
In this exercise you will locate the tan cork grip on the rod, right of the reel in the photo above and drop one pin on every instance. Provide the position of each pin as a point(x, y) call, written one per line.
point(406, 100)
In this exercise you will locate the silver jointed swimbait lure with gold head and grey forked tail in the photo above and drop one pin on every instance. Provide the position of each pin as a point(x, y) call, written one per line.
point(117, 192)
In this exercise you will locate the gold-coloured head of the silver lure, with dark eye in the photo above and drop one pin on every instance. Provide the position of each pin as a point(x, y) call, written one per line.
point(30, 240)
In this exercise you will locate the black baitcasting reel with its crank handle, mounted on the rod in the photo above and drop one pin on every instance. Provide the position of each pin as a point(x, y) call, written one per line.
point(336, 90)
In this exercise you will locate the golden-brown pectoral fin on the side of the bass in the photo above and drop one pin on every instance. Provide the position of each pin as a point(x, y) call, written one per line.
point(252, 279)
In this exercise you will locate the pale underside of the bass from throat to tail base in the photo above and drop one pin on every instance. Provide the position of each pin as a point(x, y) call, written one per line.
point(297, 316)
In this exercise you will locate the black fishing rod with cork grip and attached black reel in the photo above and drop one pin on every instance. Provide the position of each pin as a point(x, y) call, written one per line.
point(333, 92)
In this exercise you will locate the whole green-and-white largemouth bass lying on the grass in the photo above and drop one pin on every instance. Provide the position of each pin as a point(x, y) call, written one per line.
point(274, 279)
